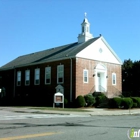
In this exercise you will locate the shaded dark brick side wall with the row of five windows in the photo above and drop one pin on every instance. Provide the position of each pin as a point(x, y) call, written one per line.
point(47, 91)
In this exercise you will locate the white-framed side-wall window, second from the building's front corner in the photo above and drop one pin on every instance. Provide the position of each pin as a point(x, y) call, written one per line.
point(48, 75)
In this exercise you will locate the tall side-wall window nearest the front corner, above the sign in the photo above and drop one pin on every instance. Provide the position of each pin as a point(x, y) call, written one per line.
point(60, 74)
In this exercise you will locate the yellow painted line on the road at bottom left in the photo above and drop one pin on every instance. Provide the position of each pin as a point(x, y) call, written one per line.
point(30, 136)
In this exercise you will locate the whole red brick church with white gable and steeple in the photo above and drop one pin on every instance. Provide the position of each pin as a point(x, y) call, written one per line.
point(78, 68)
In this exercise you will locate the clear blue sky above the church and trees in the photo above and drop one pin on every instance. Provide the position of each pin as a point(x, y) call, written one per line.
point(28, 26)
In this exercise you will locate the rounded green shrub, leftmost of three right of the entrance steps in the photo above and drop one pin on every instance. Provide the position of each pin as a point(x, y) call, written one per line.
point(115, 102)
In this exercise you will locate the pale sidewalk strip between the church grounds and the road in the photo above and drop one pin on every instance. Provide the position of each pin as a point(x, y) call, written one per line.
point(90, 111)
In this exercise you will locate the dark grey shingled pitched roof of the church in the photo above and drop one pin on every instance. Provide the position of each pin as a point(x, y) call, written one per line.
point(61, 52)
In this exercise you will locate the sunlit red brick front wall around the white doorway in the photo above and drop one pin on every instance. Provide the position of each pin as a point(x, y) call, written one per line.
point(85, 88)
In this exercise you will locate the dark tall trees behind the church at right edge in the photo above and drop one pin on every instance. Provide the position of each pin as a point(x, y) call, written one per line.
point(131, 77)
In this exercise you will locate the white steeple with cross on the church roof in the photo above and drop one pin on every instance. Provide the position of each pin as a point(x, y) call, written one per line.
point(85, 34)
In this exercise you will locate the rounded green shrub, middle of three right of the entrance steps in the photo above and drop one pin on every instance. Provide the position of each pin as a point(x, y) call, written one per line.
point(127, 103)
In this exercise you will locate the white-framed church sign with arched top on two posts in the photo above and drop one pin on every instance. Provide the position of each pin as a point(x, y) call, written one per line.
point(58, 98)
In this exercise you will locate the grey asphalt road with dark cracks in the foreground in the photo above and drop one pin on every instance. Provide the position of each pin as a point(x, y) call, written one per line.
point(66, 127)
